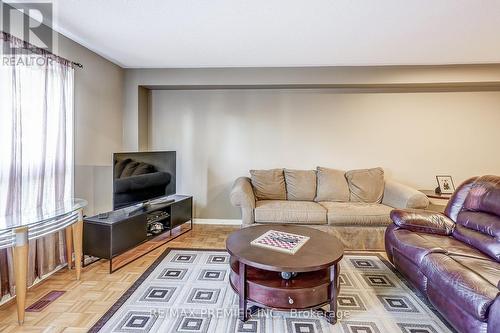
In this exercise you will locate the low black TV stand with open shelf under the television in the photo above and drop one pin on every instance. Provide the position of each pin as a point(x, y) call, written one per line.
point(122, 235)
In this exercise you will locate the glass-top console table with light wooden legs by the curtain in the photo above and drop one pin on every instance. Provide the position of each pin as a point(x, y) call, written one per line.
point(18, 229)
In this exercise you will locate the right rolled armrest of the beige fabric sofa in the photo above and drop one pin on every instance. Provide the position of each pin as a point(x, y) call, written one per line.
point(401, 196)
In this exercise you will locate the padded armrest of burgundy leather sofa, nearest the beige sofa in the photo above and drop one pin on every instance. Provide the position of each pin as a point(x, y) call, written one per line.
point(420, 220)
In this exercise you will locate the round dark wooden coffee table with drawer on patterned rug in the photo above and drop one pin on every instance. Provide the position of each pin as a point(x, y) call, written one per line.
point(255, 271)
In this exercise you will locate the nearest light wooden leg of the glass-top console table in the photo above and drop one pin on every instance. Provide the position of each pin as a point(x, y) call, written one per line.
point(20, 257)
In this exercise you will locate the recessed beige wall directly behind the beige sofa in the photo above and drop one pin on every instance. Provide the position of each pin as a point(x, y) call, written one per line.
point(220, 134)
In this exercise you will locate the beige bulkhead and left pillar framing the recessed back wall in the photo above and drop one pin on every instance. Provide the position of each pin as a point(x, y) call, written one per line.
point(459, 77)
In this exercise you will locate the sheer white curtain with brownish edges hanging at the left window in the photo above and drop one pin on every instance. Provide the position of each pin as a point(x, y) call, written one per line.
point(36, 145)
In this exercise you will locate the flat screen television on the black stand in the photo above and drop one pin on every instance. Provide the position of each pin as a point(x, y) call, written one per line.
point(143, 176)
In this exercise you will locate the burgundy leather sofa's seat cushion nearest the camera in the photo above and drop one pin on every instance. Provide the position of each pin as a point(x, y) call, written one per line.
point(471, 292)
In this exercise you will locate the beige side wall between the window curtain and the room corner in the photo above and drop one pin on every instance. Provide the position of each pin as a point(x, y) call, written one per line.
point(98, 123)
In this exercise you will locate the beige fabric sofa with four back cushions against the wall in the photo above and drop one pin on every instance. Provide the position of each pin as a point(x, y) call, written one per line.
point(354, 206)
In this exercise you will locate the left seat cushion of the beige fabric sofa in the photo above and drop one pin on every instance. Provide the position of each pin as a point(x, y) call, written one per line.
point(280, 211)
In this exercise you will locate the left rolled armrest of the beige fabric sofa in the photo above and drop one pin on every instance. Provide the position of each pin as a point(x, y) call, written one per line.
point(242, 196)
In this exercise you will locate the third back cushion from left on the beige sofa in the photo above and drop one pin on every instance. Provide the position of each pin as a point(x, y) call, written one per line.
point(332, 185)
